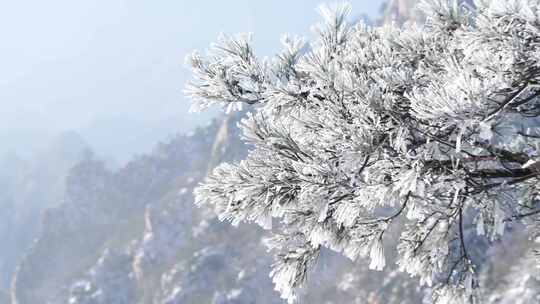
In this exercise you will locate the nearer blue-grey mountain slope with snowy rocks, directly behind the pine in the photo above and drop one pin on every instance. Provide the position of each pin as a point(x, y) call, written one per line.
point(134, 236)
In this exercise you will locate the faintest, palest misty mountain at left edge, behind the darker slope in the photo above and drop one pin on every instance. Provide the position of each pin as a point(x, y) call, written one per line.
point(29, 187)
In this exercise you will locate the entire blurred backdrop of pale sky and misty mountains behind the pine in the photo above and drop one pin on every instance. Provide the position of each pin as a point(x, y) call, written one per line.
point(99, 156)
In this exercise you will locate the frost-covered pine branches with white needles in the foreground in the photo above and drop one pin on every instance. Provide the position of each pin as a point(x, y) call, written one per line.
point(432, 128)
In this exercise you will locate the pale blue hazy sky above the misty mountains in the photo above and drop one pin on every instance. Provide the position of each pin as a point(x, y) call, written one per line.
point(66, 63)
